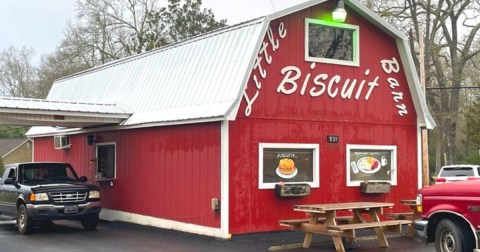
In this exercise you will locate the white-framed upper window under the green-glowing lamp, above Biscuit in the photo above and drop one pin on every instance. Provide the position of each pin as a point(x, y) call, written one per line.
point(331, 42)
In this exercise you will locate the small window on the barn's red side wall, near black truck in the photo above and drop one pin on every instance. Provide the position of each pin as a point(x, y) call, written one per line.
point(106, 156)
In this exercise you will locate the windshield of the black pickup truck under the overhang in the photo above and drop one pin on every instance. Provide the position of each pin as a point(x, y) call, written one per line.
point(46, 172)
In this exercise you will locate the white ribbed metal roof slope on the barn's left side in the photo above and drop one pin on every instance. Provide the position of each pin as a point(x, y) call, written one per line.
point(198, 78)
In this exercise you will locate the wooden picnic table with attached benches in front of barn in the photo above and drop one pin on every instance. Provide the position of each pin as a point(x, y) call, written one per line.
point(330, 224)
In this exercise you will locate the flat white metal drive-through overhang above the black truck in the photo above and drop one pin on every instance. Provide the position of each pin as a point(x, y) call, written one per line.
point(38, 112)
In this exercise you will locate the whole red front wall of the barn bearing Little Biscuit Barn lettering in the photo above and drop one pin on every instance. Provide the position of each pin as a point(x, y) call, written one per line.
point(280, 118)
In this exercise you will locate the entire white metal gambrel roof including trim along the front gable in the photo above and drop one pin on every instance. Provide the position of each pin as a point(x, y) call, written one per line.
point(196, 80)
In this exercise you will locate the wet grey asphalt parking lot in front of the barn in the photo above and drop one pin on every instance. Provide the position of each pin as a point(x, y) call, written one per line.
point(68, 236)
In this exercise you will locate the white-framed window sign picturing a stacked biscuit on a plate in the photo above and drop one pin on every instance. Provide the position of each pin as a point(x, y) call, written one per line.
point(288, 163)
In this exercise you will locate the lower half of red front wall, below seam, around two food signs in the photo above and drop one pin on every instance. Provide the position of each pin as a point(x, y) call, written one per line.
point(252, 209)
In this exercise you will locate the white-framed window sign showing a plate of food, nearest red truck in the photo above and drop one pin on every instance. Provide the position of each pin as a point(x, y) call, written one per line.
point(371, 163)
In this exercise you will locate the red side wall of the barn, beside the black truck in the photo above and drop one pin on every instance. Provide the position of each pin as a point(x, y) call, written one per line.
point(166, 172)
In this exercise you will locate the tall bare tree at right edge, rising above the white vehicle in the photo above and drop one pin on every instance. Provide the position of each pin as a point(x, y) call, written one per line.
point(454, 51)
